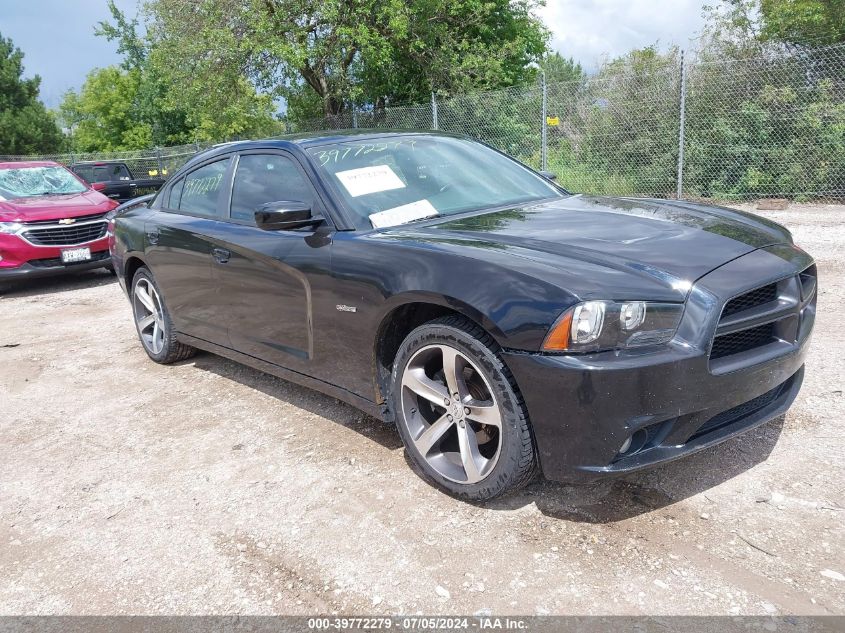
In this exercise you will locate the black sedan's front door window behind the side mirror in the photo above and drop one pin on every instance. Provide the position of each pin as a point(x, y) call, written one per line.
point(263, 178)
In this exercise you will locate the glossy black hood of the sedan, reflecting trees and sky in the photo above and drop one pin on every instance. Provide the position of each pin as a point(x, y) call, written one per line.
point(671, 240)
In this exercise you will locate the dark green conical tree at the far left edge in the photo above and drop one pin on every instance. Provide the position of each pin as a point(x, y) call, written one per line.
point(26, 127)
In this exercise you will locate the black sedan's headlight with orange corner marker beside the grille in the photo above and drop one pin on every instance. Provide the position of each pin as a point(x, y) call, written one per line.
point(602, 325)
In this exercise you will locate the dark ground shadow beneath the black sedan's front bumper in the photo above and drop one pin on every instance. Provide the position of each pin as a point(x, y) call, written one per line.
point(639, 493)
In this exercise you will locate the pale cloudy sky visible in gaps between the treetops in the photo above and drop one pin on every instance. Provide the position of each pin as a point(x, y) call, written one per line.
point(57, 36)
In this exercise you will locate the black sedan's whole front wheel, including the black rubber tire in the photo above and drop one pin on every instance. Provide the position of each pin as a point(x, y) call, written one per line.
point(475, 447)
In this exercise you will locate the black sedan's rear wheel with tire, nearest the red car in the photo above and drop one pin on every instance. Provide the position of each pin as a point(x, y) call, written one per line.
point(153, 323)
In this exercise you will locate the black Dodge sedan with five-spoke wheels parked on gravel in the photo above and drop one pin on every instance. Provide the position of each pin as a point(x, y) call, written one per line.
point(503, 324)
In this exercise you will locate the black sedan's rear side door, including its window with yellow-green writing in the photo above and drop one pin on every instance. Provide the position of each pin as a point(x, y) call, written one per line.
point(179, 249)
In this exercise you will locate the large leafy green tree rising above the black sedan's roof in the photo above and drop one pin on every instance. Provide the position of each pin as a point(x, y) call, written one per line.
point(349, 51)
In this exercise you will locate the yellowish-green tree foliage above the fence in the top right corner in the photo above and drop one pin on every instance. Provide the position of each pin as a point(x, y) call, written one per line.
point(803, 22)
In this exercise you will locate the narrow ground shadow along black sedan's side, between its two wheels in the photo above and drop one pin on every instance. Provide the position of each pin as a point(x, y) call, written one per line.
point(301, 397)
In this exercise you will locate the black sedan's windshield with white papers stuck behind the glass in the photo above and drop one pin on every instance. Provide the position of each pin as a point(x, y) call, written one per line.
point(391, 181)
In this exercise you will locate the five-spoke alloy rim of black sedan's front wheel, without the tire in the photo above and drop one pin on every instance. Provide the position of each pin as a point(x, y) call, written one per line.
point(451, 414)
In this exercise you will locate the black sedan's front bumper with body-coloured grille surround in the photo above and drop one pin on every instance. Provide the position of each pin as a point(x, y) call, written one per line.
point(674, 401)
